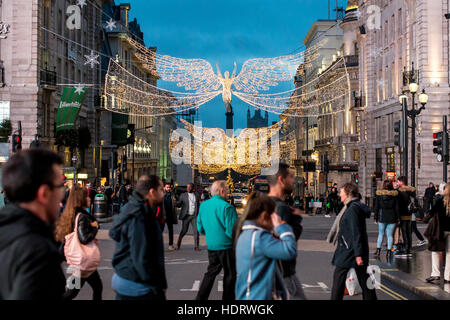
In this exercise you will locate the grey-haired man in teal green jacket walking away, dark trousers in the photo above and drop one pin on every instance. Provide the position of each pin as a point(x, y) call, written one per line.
point(216, 219)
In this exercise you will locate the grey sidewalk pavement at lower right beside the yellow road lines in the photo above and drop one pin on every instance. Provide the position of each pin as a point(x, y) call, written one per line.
point(410, 273)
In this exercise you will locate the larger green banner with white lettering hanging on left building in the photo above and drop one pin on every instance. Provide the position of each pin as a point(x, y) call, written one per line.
point(69, 107)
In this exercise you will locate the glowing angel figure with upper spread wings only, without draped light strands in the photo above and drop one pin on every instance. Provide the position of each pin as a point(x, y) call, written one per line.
point(198, 75)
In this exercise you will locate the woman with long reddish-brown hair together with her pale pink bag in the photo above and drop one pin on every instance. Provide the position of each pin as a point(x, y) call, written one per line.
point(77, 230)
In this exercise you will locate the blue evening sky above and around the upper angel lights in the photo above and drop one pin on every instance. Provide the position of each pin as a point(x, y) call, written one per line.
point(227, 31)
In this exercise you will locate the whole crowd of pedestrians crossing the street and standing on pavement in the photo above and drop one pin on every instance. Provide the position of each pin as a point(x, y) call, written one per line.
point(47, 223)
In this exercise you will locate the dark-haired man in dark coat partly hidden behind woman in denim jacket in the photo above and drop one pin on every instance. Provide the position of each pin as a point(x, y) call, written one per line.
point(282, 184)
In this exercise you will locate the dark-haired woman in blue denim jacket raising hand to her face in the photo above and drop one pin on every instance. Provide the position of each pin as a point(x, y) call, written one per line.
point(262, 239)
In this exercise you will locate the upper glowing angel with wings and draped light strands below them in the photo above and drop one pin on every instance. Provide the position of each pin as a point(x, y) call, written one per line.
point(126, 93)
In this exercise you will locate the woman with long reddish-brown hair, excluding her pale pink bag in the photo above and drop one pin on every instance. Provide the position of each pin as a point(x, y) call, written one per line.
point(77, 204)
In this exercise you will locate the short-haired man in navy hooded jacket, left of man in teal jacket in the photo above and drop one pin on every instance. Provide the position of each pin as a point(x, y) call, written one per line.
point(138, 259)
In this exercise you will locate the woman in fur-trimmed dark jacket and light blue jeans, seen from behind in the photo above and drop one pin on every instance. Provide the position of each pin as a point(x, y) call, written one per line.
point(386, 216)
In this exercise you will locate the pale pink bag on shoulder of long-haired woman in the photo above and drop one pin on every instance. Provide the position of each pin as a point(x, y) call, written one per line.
point(84, 258)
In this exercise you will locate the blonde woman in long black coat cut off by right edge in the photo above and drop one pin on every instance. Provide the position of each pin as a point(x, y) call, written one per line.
point(438, 233)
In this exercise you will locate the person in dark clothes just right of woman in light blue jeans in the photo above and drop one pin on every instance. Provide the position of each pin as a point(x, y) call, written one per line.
point(406, 195)
